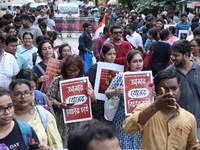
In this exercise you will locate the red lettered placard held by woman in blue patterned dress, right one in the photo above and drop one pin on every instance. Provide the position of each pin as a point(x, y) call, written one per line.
point(136, 89)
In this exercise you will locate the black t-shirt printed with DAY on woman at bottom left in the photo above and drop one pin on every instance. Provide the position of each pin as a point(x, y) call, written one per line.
point(14, 140)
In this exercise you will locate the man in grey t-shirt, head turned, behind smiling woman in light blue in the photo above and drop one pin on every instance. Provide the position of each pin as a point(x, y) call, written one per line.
point(28, 26)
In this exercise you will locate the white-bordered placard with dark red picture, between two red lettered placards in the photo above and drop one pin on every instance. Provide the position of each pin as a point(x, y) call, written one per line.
point(105, 74)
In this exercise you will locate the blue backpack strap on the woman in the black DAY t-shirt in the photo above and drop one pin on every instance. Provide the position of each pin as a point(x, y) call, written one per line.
point(26, 131)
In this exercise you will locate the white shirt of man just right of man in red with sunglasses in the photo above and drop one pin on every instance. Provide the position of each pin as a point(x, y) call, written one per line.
point(135, 39)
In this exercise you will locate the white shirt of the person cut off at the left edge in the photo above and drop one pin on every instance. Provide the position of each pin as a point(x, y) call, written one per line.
point(8, 69)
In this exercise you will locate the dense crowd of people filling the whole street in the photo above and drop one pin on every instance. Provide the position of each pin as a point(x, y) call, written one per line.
point(27, 43)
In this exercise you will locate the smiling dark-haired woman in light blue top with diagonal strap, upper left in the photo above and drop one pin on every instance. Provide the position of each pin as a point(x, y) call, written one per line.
point(27, 48)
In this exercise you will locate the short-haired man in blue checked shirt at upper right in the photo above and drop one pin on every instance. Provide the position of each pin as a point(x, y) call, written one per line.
point(183, 25)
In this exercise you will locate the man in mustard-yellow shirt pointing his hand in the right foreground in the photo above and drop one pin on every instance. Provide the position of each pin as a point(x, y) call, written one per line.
point(163, 123)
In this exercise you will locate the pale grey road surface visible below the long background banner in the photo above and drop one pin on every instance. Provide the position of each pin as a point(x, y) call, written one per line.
point(73, 42)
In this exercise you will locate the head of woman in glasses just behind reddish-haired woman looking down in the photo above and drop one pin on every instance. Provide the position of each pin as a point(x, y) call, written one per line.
point(64, 50)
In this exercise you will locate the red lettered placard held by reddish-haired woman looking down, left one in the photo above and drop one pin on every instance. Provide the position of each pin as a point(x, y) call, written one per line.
point(73, 91)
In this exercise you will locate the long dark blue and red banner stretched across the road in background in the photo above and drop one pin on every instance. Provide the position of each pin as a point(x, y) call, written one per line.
point(74, 25)
